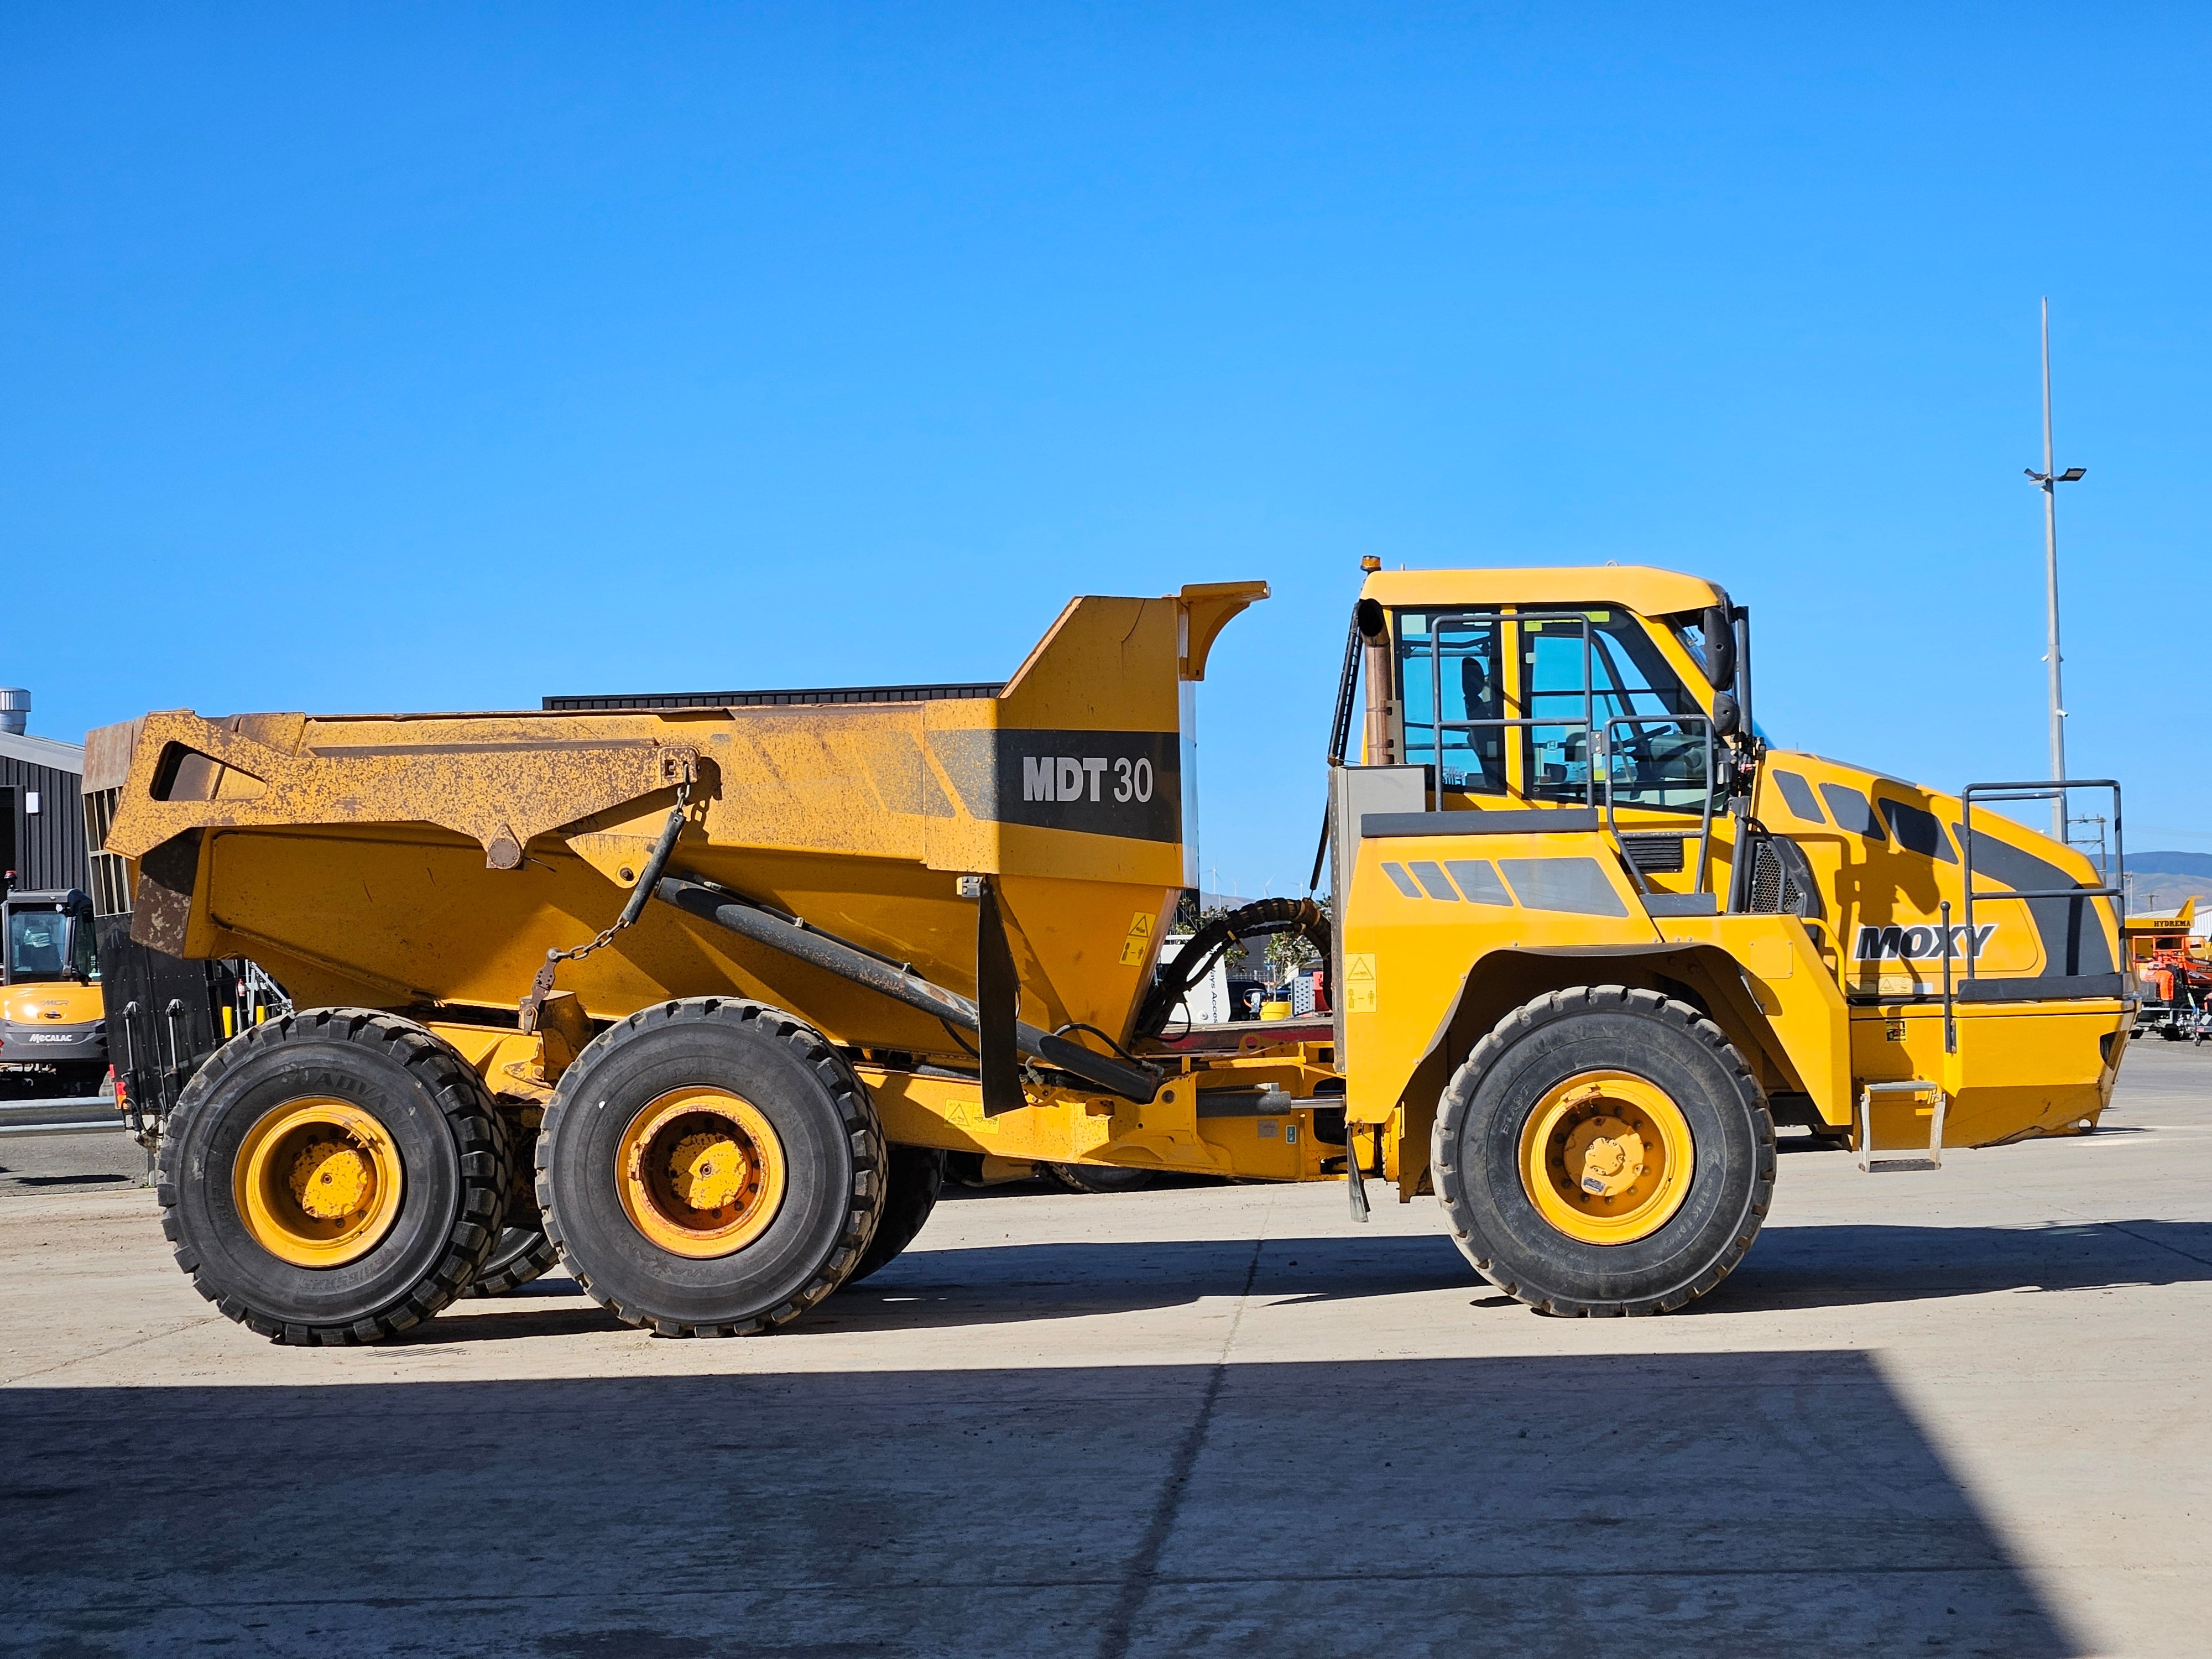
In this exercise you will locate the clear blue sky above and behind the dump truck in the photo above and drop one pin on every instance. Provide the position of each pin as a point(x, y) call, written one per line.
point(461, 355)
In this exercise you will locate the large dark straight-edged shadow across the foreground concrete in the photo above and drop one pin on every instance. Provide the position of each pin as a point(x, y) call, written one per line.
point(1715, 1503)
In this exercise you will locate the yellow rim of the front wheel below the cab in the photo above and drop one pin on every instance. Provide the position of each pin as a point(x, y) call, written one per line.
point(1607, 1158)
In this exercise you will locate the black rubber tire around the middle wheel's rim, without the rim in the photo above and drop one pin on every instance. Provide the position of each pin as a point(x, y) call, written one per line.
point(833, 1149)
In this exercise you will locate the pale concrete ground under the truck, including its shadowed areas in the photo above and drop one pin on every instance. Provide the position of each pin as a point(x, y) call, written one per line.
point(1948, 1412)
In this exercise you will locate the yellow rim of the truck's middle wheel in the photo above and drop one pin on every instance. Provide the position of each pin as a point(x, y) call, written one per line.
point(702, 1173)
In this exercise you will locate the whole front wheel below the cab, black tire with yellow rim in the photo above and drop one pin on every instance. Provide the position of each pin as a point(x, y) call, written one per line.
point(1605, 1151)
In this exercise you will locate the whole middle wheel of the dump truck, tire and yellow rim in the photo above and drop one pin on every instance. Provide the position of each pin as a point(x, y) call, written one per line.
point(711, 1169)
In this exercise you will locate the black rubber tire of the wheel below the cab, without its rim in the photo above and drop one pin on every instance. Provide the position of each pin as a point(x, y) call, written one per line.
point(1477, 1151)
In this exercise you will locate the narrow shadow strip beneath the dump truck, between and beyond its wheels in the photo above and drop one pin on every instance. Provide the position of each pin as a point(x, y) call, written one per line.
point(1804, 1266)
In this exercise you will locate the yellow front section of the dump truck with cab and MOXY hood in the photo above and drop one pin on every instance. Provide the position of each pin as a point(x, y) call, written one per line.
point(1561, 786)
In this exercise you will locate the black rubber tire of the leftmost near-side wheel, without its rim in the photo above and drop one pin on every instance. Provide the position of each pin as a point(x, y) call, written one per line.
point(455, 1162)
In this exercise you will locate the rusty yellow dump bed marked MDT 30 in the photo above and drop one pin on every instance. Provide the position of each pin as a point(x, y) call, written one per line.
point(432, 862)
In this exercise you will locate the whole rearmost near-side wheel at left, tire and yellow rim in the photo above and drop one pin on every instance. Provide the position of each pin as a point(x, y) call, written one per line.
point(337, 1176)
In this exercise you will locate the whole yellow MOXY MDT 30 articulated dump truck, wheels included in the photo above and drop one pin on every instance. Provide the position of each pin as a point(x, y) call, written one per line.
point(698, 992)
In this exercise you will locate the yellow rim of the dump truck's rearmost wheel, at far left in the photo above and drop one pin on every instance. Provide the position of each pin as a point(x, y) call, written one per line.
point(317, 1182)
